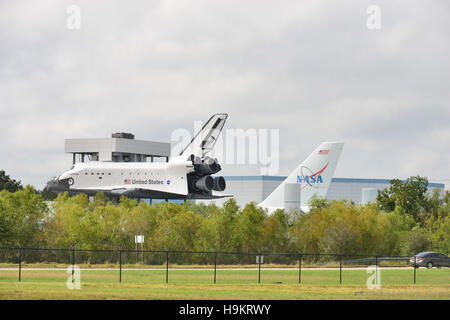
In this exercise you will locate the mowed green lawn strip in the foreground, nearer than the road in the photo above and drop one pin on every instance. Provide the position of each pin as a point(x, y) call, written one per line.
point(230, 284)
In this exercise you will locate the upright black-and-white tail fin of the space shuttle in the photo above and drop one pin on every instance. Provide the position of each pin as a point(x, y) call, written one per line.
point(204, 141)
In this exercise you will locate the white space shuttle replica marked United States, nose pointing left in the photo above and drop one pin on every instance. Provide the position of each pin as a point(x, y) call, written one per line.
point(186, 176)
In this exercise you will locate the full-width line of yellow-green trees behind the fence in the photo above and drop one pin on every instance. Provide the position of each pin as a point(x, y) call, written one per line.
point(404, 220)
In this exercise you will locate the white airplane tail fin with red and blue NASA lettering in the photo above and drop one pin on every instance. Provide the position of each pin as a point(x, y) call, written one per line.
point(314, 176)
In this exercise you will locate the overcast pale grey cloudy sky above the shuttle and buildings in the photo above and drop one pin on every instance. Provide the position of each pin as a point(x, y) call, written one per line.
point(311, 69)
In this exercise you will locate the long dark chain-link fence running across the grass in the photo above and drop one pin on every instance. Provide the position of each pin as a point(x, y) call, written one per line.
point(146, 266)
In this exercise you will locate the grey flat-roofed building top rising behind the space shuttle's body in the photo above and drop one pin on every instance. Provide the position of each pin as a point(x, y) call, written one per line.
point(121, 147)
